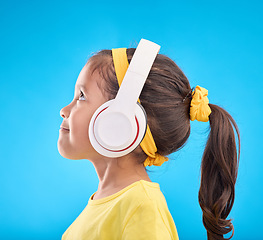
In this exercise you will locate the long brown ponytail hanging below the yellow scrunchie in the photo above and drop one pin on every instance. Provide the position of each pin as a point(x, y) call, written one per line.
point(219, 169)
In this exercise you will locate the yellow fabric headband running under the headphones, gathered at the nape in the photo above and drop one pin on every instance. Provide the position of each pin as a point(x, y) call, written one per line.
point(121, 65)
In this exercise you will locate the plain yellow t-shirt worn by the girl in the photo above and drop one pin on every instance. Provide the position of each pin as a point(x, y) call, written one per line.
point(137, 212)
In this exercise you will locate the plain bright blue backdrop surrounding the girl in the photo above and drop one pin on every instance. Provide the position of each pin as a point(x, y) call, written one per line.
point(43, 47)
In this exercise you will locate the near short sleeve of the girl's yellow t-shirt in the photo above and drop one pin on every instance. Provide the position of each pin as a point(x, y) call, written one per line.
point(146, 222)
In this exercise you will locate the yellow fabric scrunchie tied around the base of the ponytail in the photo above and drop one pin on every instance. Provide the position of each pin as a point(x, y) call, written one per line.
point(199, 108)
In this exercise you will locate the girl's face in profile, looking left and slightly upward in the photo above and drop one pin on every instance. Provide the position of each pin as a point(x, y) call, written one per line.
point(75, 144)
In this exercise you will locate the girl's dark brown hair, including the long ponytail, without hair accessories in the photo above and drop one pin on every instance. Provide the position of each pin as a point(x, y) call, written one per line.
point(166, 100)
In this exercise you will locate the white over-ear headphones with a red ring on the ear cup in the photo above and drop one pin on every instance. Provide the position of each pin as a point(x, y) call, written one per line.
point(118, 126)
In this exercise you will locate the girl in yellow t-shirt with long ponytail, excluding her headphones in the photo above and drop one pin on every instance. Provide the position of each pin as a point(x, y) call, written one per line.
point(127, 204)
